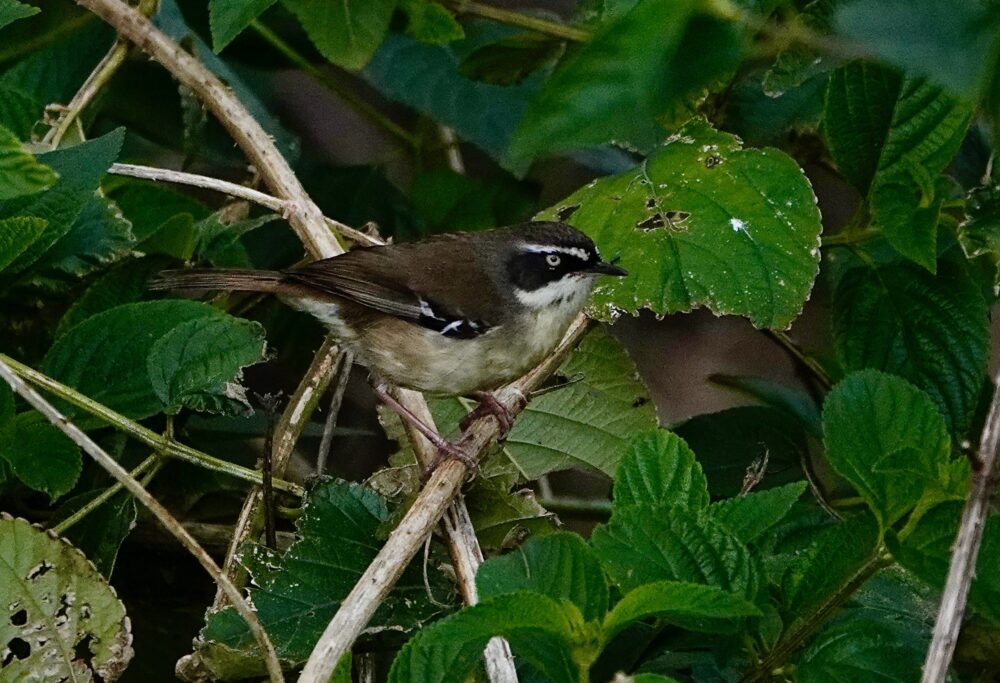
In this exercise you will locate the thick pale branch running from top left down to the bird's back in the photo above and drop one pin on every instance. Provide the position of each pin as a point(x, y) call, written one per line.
point(303, 214)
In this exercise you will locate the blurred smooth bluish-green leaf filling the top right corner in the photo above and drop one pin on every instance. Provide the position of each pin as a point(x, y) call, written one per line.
point(953, 43)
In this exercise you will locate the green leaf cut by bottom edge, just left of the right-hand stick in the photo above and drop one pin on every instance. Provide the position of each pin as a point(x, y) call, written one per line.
point(859, 650)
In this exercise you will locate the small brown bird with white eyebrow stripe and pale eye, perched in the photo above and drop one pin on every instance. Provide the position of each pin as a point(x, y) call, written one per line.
point(454, 314)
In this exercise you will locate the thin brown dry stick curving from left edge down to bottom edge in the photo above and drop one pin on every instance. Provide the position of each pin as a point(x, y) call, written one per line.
point(154, 506)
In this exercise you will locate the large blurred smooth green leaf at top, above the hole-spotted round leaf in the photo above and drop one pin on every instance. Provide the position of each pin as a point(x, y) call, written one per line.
point(654, 49)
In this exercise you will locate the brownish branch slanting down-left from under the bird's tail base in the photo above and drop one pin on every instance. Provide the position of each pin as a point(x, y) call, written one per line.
point(286, 433)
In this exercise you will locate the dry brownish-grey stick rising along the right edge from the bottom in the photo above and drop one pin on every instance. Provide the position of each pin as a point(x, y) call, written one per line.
point(965, 550)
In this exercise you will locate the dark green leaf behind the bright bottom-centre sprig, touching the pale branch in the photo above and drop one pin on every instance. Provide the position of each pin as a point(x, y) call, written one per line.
point(561, 566)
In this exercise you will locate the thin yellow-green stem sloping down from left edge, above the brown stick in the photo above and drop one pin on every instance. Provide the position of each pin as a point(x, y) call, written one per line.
point(140, 433)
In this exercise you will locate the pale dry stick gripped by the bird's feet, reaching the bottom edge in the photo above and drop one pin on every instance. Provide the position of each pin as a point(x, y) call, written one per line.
point(404, 542)
